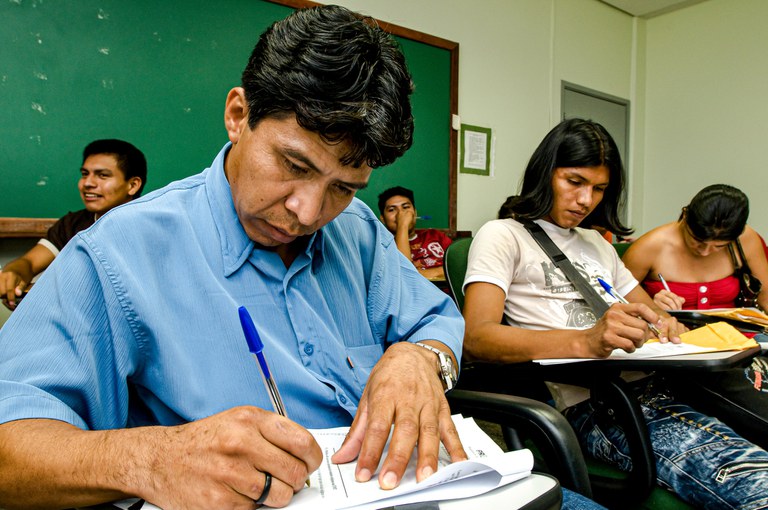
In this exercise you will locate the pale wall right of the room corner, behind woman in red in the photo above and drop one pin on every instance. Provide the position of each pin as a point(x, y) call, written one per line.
point(707, 117)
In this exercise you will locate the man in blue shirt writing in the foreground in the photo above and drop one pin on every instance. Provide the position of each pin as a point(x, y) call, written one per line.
point(127, 373)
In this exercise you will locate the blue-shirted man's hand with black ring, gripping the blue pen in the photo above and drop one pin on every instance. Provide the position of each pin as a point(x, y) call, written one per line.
point(220, 461)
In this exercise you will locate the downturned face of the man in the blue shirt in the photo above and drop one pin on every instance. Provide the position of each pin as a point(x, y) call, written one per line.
point(286, 181)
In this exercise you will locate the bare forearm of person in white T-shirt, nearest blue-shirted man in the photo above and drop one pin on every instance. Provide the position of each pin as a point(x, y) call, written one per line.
point(499, 343)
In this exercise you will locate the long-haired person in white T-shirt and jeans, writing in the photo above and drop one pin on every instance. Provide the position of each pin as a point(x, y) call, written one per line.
point(521, 304)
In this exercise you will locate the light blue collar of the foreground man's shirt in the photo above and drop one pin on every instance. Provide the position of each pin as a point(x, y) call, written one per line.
point(236, 246)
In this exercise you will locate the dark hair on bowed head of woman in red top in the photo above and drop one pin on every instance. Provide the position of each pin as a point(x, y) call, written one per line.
point(718, 212)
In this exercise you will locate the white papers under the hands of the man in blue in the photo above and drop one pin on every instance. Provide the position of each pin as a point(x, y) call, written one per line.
point(334, 487)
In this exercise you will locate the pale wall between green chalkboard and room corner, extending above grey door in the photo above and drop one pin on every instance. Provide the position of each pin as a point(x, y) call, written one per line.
point(513, 55)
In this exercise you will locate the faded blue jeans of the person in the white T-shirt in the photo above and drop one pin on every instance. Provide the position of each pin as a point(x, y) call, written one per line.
point(700, 458)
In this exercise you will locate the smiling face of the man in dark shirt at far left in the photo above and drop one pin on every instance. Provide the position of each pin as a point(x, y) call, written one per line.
point(103, 185)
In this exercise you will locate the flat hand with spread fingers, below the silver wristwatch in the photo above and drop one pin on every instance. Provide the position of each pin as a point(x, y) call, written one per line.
point(405, 390)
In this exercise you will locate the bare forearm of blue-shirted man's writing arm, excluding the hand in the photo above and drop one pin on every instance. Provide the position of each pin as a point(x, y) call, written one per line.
point(52, 464)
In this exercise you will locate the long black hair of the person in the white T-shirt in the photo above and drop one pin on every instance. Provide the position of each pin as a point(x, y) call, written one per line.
point(572, 143)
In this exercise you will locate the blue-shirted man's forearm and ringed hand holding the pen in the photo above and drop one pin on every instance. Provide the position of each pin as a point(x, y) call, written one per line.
point(216, 462)
